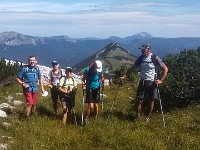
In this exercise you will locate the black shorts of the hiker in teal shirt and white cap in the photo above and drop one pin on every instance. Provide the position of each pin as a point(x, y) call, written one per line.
point(92, 95)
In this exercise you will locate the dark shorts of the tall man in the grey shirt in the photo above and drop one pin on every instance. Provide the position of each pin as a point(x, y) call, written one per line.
point(147, 90)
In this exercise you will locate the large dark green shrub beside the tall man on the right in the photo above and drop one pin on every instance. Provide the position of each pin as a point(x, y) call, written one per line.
point(182, 85)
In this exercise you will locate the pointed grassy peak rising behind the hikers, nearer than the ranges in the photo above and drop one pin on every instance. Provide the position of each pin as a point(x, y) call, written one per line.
point(112, 56)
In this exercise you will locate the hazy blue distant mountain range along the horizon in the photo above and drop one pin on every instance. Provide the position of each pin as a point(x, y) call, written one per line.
point(70, 51)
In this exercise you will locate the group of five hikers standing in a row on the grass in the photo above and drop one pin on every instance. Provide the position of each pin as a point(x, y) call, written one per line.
point(63, 85)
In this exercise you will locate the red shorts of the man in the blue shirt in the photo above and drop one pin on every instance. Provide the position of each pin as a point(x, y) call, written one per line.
point(31, 97)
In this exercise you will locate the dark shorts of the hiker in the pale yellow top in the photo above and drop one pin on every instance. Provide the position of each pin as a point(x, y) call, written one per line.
point(68, 101)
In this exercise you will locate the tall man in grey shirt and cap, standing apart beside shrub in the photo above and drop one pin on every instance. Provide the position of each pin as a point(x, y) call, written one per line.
point(149, 81)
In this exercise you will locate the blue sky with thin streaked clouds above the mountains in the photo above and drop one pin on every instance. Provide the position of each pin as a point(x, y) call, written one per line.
point(101, 18)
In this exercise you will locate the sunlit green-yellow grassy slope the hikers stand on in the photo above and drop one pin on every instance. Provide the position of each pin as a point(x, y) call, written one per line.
point(121, 131)
